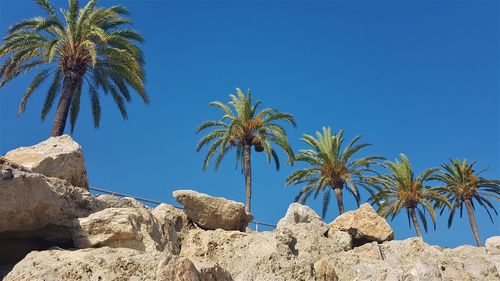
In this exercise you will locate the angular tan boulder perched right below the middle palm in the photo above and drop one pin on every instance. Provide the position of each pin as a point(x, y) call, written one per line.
point(364, 225)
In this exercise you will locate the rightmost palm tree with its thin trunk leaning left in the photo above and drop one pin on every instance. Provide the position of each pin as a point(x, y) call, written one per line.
point(463, 186)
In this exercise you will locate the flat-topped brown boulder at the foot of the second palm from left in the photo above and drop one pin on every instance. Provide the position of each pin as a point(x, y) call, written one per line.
point(213, 212)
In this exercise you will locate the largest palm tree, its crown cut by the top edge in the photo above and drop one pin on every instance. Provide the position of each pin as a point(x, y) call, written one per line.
point(87, 44)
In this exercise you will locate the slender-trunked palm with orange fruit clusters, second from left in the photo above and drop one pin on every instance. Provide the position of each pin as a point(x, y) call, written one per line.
point(242, 127)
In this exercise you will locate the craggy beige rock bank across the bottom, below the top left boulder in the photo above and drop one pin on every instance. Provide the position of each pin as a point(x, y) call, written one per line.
point(121, 239)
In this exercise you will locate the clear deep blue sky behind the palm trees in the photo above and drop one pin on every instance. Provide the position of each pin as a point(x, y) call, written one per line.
point(420, 78)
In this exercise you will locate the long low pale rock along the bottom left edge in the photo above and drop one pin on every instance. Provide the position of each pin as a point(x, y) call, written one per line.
point(110, 264)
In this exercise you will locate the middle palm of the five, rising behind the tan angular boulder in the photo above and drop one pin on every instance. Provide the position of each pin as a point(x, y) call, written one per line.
point(330, 168)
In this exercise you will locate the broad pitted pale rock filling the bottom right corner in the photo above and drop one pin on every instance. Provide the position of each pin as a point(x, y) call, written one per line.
point(412, 259)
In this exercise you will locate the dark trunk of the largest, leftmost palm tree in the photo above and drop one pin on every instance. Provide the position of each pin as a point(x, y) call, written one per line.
point(69, 85)
